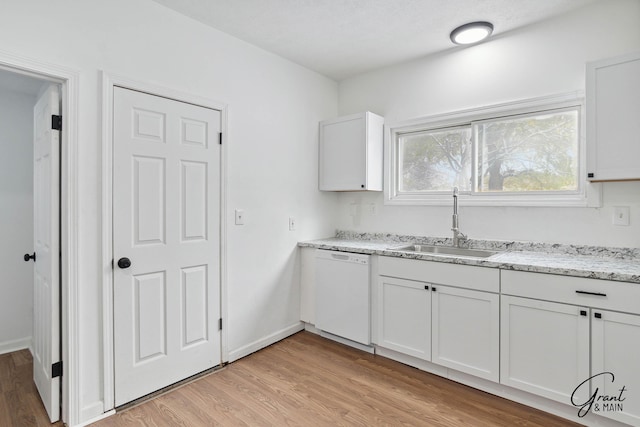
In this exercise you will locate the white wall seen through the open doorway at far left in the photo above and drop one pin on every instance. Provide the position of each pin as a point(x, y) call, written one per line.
point(16, 219)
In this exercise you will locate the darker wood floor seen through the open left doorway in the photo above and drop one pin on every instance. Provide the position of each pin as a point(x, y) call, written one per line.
point(20, 404)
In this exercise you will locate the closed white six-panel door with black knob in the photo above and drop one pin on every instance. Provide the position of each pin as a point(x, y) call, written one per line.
point(166, 241)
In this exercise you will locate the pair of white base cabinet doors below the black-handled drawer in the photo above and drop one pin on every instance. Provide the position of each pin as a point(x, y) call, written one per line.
point(580, 356)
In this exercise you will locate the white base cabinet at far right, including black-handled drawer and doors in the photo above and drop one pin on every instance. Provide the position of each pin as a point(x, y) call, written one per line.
point(545, 344)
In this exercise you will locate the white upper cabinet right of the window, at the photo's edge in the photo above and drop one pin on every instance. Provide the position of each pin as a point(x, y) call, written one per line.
point(613, 119)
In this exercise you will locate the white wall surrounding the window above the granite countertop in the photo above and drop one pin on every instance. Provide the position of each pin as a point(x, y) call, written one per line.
point(542, 59)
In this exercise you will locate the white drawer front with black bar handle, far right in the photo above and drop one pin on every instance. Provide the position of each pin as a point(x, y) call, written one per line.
point(617, 296)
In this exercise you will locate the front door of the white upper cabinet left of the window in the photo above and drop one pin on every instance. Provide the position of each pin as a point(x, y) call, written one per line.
point(343, 154)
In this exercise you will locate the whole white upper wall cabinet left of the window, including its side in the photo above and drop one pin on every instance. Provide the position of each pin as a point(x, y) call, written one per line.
point(351, 153)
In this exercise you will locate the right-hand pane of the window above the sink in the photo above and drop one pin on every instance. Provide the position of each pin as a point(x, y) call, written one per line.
point(533, 153)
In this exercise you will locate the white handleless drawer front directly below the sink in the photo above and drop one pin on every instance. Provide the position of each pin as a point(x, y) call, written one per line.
point(462, 276)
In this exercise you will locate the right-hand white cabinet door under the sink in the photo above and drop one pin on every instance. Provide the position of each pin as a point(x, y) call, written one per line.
point(466, 331)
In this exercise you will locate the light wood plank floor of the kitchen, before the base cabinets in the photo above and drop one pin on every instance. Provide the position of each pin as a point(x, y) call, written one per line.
point(306, 380)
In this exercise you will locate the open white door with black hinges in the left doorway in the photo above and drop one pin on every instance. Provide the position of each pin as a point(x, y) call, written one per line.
point(46, 217)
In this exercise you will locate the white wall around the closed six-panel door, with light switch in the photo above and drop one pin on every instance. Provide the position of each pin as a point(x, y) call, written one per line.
point(274, 109)
